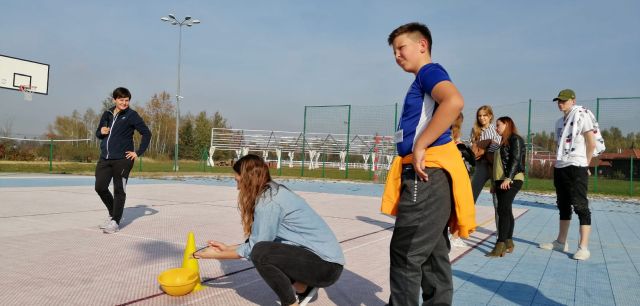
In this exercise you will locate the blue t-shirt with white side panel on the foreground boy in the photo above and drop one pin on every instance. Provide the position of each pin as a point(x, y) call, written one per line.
point(419, 107)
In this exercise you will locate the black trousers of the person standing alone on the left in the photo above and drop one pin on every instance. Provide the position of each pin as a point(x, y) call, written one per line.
point(118, 169)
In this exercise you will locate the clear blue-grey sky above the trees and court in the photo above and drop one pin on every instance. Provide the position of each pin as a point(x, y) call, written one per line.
point(260, 62)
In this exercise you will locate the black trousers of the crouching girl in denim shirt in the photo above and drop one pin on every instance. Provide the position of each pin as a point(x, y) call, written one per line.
point(280, 265)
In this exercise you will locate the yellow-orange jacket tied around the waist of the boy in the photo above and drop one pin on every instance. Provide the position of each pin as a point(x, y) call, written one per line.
point(446, 157)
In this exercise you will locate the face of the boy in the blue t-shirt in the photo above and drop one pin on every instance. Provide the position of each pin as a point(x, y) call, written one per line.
point(410, 53)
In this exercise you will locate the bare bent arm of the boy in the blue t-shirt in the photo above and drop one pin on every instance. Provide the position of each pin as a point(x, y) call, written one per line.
point(450, 105)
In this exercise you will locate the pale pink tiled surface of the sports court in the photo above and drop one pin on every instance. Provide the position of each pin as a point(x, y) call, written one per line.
point(54, 253)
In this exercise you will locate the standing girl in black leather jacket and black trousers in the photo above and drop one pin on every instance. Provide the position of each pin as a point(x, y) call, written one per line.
point(508, 174)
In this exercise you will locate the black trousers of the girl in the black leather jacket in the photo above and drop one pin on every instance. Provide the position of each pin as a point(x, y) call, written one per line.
point(506, 222)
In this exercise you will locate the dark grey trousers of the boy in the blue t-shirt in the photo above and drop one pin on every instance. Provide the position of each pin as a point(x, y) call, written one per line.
point(419, 249)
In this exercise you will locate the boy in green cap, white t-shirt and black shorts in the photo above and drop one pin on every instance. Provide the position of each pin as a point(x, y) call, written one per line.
point(576, 136)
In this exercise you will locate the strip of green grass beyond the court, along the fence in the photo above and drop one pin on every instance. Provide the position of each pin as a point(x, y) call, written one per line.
point(151, 168)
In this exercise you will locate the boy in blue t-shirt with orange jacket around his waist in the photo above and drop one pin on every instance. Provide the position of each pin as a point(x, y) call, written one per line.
point(432, 179)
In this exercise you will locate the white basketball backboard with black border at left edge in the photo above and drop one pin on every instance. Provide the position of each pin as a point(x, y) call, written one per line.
point(15, 72)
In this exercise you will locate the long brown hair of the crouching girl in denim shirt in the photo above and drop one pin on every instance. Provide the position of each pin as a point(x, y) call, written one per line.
point(254, 181)
